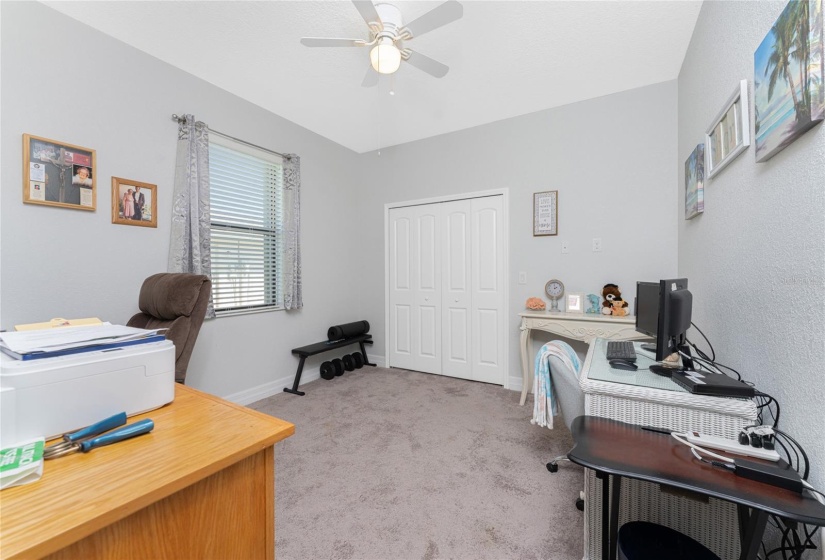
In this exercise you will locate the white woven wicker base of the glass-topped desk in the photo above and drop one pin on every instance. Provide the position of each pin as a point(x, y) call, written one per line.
point(714, 524)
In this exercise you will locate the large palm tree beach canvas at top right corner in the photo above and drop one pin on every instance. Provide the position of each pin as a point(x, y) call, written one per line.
point(789, 78)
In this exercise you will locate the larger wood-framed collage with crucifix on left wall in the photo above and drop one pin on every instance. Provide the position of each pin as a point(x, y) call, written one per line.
point(58, 174)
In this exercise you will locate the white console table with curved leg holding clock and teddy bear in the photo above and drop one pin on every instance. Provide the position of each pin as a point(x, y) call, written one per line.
point(576, 326)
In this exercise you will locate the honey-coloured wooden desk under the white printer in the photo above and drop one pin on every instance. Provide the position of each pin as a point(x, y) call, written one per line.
point(201, 485)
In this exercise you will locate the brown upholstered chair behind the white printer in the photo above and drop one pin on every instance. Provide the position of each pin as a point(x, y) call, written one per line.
point(176, 301)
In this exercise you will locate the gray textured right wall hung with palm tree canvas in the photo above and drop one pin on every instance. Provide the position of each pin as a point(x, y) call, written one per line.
point(756, 258)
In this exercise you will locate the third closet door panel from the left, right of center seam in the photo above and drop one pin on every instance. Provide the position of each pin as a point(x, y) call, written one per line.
point(456, 295)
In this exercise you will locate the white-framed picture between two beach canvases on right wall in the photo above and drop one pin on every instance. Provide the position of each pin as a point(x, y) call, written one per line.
point(729, 134)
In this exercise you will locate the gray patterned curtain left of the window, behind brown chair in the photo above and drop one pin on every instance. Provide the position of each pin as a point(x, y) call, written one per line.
point(189, 250)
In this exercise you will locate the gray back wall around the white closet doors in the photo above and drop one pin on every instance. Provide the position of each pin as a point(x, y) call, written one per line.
point(611, 159)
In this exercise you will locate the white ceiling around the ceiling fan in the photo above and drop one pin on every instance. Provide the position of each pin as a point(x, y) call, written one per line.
point(506, 58)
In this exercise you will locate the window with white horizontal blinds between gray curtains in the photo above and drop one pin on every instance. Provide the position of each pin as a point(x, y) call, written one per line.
point(246, 194)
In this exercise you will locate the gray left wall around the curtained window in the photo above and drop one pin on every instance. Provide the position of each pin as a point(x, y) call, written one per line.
point(80, 86)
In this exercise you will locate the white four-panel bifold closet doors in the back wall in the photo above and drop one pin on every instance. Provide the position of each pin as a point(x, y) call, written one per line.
point(447, 288)
